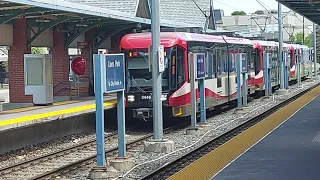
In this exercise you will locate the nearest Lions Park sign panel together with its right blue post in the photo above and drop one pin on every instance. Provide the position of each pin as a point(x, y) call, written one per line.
point(115, 82)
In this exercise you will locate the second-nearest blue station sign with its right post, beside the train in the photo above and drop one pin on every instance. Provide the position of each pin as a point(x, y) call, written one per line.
point(201, 75)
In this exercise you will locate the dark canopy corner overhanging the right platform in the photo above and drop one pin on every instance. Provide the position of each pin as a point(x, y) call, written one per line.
point(307, 8)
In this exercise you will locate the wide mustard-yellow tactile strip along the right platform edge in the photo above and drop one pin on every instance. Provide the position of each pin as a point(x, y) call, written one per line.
point(210, 164)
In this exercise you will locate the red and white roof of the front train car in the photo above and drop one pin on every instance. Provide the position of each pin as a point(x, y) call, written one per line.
point(169, 39)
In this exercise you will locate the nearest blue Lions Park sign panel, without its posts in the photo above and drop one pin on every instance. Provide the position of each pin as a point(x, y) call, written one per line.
point(114, 73)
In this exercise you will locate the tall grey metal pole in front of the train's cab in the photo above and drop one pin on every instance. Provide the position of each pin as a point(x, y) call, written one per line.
point(156, 75)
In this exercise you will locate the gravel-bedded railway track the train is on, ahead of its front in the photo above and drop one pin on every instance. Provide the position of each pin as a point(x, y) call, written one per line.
point(53, 165)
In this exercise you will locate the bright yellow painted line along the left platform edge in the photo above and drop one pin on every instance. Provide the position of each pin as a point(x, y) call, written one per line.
point(54, 113)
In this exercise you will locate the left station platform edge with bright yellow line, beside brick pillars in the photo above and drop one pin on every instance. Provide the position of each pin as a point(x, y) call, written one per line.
point(60, 110)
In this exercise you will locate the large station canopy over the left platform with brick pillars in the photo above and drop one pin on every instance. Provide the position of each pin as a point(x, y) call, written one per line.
point(75, 18)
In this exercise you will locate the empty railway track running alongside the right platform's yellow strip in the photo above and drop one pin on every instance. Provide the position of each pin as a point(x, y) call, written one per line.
point(184, 160)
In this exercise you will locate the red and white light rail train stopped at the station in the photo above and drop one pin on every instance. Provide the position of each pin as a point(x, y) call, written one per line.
point(220, 82)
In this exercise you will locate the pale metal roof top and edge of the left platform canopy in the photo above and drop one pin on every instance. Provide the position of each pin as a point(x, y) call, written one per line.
point(113, 9)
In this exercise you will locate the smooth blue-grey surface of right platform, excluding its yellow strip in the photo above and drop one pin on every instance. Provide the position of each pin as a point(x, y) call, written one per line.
point(290, 152)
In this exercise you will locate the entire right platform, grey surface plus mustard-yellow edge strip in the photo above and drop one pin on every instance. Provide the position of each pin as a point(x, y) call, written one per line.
point(283, 146)
